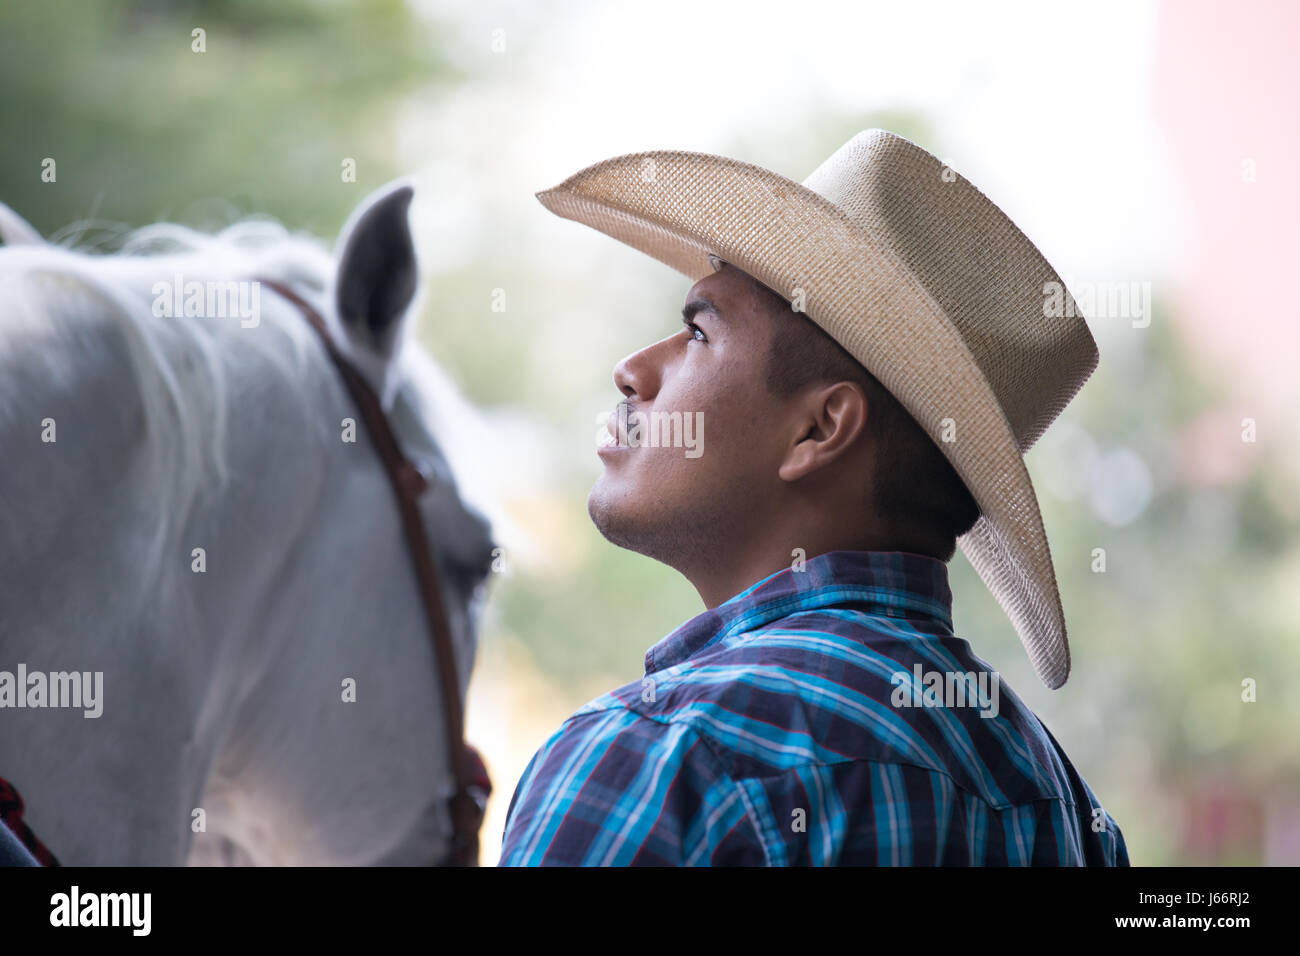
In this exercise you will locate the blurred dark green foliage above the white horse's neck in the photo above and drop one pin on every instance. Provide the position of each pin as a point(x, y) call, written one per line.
point(144, 129)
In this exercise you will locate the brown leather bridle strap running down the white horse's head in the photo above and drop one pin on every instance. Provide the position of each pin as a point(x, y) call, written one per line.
point(467, 803)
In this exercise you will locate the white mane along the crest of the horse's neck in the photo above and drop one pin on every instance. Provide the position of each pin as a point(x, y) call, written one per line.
point(60, 304)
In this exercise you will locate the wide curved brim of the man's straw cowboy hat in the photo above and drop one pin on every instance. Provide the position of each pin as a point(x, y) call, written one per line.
point(681, 207)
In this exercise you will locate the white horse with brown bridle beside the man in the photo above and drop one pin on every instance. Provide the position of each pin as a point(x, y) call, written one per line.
point(183, 512)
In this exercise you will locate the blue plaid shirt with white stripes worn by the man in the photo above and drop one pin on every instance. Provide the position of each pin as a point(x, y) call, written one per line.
point(791, 726)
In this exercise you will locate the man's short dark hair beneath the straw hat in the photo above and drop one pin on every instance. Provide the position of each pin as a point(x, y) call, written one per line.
point(916, 492)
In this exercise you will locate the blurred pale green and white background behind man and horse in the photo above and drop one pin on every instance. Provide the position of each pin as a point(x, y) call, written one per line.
point(1149, 149)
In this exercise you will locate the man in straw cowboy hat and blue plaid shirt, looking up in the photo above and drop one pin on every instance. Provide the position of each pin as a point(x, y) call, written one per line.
point(873, 352)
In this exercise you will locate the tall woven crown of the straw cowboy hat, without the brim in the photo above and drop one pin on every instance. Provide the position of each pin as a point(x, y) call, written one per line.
point(976, 263)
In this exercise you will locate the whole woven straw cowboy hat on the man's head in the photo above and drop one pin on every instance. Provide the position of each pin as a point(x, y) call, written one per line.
point(921, 279)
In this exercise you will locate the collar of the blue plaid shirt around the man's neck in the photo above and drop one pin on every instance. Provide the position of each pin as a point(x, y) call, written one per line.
point(899, 585)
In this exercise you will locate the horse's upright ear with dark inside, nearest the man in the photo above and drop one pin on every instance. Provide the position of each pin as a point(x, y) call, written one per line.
point(378, 272)
